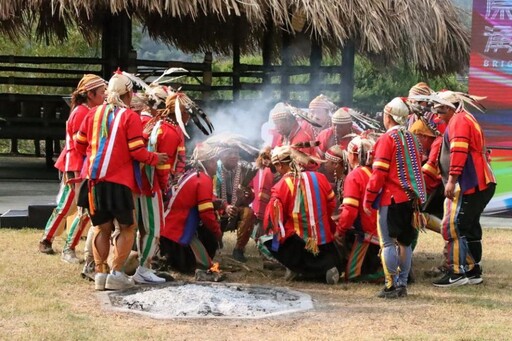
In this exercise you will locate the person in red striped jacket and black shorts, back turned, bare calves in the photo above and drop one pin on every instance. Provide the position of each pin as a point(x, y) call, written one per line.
point(111, 138)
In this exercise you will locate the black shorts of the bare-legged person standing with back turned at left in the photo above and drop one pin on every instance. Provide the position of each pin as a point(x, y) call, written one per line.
point(111, 200)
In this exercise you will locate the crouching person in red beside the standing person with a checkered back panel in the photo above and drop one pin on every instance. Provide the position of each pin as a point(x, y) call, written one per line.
point(356, 230)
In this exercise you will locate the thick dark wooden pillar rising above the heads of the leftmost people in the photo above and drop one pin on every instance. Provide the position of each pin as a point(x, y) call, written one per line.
point(116, 44)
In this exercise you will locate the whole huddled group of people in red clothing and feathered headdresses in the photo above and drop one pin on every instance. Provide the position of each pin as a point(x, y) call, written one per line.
point(328, 198)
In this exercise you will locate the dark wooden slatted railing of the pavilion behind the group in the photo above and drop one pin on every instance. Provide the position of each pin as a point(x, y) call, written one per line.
point(42, 116)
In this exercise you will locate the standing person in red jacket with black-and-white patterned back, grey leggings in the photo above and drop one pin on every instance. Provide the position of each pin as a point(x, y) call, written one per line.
point(397, 189)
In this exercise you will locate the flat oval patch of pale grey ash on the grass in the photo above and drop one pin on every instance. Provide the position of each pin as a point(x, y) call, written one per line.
point(178, 300)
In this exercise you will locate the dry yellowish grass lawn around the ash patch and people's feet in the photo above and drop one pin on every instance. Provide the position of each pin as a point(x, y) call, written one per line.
point(42, 298)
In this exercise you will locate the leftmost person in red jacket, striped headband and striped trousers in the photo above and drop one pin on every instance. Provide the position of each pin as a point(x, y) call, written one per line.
point(89, 93)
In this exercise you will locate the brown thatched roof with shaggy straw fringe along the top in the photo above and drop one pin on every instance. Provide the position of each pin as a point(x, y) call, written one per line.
point(426, 33)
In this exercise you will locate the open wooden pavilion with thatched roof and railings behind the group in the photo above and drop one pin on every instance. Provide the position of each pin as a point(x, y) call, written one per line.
point(426, 35)
